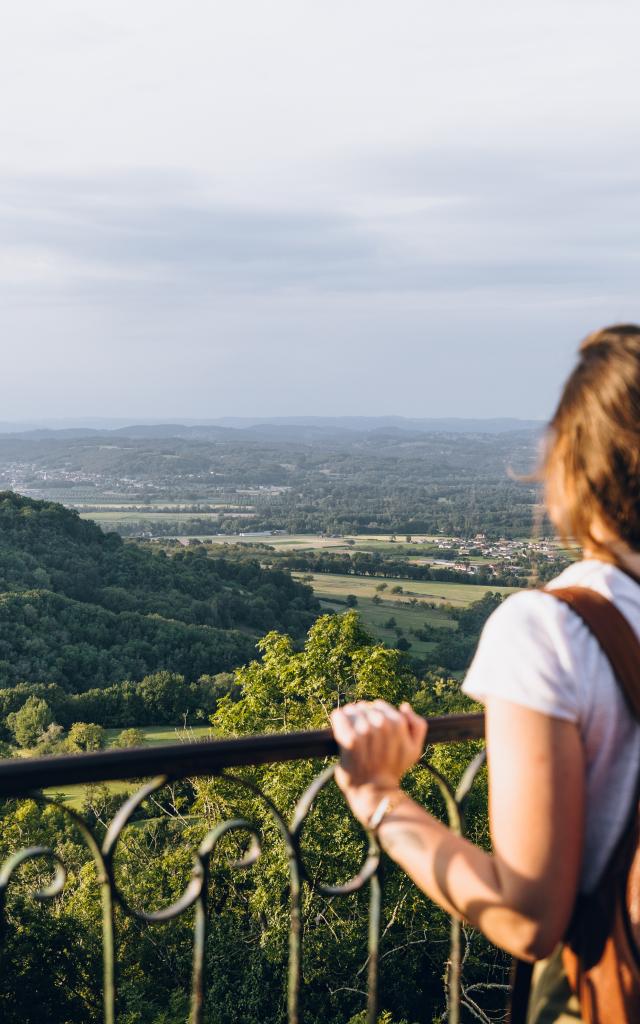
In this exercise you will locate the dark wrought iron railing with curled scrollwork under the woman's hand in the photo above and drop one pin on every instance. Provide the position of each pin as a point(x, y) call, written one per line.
point(28, 778)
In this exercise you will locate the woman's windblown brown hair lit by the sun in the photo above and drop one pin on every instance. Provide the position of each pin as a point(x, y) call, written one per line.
point(591, 466)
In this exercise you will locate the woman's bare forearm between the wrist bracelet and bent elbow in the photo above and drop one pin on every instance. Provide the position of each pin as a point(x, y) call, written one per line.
point(465, 881)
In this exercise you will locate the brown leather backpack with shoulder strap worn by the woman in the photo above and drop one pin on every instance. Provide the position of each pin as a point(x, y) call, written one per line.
point(602, 949)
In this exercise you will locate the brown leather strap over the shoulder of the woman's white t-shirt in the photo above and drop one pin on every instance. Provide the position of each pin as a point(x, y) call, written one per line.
point(616, 636)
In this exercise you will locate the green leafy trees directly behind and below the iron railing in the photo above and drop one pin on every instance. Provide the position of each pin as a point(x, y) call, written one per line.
point(56, 949)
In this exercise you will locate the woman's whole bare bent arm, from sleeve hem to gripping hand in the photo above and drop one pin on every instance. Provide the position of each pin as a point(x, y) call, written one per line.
point(523, 895)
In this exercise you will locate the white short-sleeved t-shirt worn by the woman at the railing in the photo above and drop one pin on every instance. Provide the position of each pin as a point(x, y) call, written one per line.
point(537, 653)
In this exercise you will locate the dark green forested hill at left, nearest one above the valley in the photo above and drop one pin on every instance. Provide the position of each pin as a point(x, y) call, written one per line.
point(82, 609)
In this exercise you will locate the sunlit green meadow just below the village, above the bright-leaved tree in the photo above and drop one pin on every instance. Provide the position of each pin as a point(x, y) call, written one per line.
point(432, 601)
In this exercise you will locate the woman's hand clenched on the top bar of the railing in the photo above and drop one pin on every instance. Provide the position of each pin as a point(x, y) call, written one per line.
point(378, 745)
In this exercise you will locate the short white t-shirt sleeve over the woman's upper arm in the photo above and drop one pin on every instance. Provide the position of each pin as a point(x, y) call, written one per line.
point(526, 655)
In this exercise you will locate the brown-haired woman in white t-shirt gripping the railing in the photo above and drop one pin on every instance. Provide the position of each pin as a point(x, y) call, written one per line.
point(564, 751)
